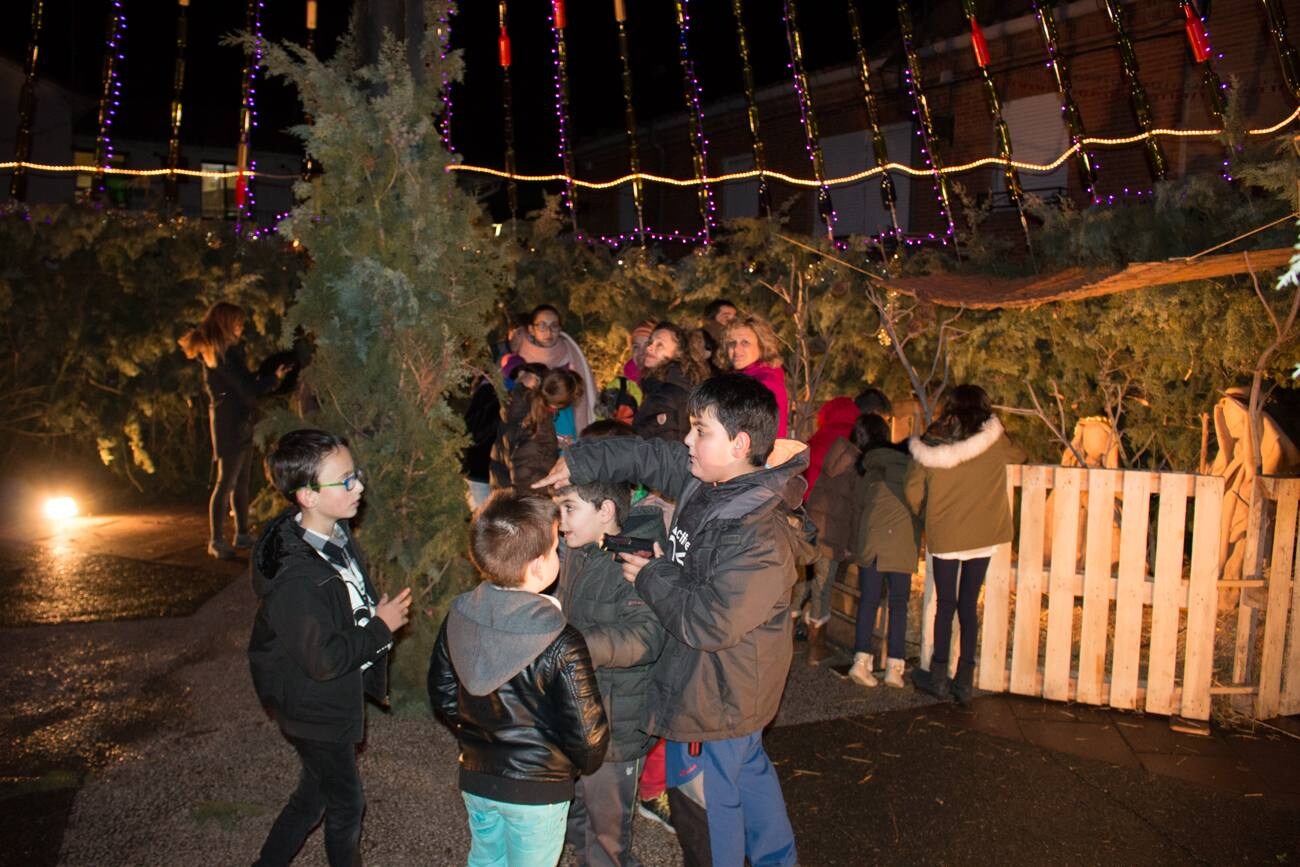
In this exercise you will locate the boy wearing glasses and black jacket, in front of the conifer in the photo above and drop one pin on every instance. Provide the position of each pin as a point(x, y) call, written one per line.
point(320, 640)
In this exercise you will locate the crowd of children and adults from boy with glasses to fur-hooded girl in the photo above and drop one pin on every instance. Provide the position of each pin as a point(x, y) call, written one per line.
point(643, 584)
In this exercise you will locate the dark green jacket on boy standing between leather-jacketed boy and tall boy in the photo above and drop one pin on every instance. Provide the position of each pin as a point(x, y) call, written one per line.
point(622, 632)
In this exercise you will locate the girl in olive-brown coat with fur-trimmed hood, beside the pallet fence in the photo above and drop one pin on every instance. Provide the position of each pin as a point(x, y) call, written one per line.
point(959, 487)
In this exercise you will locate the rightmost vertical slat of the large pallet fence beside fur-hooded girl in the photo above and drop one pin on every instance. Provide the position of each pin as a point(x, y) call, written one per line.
point(1163, 649)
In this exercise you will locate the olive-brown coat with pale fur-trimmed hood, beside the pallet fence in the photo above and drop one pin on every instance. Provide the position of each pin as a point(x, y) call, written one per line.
point(960, 489)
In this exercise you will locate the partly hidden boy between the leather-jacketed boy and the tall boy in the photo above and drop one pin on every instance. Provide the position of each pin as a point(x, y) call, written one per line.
point(625, 639)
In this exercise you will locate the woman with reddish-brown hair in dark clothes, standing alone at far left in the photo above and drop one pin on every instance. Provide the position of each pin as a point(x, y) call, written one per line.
point(233, 395)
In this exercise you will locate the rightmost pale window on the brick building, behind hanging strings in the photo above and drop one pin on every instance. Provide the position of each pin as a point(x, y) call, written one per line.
point(1039, 135)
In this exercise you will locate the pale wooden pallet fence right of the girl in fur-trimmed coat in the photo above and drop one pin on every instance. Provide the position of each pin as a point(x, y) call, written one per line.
point(1124, 619)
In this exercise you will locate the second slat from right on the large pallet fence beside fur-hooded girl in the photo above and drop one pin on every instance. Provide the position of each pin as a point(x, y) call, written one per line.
point(1130, 591)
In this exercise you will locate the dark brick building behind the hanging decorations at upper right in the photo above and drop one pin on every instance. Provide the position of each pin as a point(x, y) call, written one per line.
point(1240, 33)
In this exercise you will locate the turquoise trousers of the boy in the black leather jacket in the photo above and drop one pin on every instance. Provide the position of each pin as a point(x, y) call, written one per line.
point(514, 835)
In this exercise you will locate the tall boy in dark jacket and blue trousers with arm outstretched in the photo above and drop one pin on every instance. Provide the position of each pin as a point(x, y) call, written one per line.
point(722, 593)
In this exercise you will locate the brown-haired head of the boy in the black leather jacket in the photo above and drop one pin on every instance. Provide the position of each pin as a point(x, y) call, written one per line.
point(512, 531)
